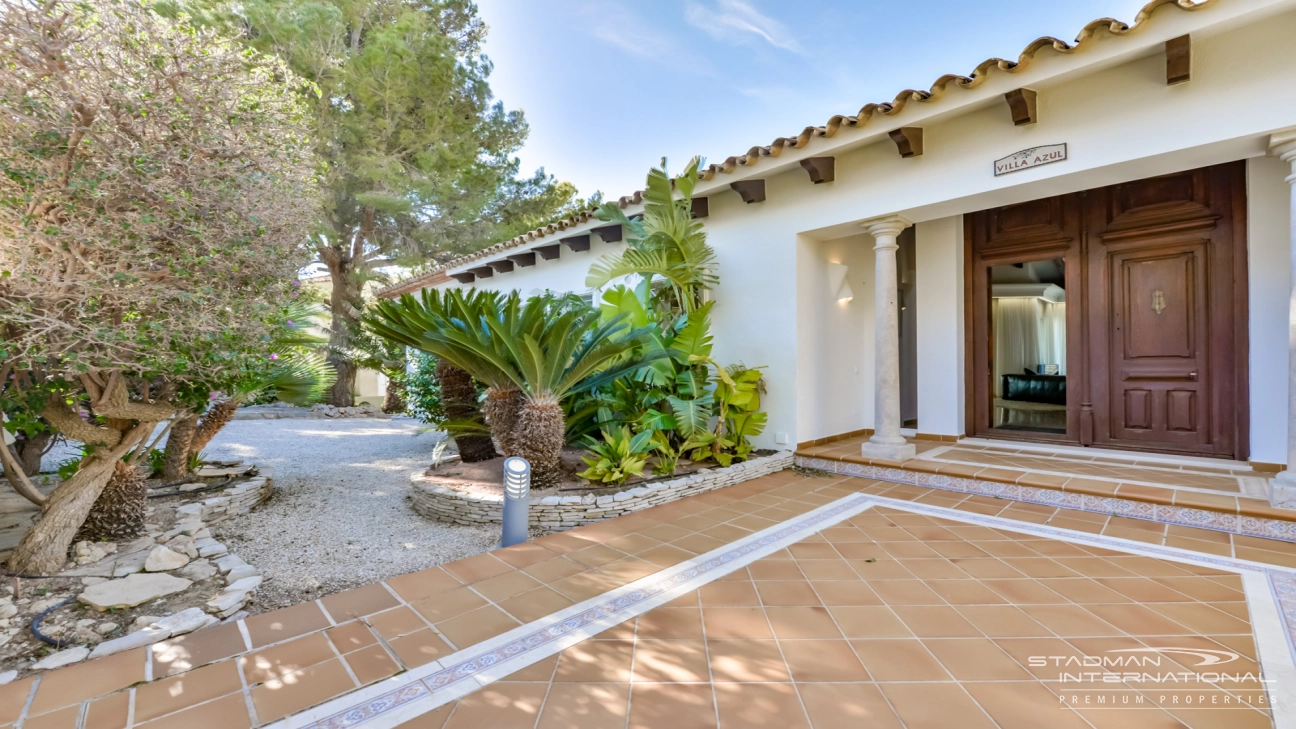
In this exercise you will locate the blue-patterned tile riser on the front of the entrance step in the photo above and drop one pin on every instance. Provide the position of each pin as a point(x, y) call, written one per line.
point(1166, 514)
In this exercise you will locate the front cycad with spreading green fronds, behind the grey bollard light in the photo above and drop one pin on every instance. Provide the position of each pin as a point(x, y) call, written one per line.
point(544, 348)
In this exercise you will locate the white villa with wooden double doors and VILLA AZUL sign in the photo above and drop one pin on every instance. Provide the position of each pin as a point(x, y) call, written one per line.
point(1089, 246)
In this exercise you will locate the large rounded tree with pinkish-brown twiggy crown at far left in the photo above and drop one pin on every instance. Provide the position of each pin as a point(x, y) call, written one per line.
point(159, 187)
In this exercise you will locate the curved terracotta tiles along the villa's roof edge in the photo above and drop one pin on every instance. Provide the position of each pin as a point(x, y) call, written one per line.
point(830, 129)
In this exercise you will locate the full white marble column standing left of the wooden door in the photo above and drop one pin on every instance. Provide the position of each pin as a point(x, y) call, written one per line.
point(887, 442)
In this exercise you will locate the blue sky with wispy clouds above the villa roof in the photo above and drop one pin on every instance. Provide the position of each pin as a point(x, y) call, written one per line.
point(612, 86)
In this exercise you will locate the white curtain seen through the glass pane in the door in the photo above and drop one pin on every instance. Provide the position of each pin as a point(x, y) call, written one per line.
point(1028, 333)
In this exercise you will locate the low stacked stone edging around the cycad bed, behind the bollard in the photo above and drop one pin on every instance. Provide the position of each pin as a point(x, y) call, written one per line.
point(434, 501)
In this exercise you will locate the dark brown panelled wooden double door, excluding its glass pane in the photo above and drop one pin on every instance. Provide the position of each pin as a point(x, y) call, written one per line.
point(1157, 311)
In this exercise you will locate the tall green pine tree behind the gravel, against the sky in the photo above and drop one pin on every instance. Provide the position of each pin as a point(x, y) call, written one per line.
point(421, 158)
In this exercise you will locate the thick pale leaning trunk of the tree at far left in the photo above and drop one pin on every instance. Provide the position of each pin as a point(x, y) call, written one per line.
point(45, 549)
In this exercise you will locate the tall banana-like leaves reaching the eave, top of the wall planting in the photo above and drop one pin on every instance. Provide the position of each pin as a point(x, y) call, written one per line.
point(667, 247)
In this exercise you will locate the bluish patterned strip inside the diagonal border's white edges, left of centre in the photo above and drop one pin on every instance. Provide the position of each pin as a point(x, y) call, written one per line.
point(546, 631)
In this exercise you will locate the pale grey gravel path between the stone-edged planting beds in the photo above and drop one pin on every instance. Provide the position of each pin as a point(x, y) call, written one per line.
point(339, 518)
